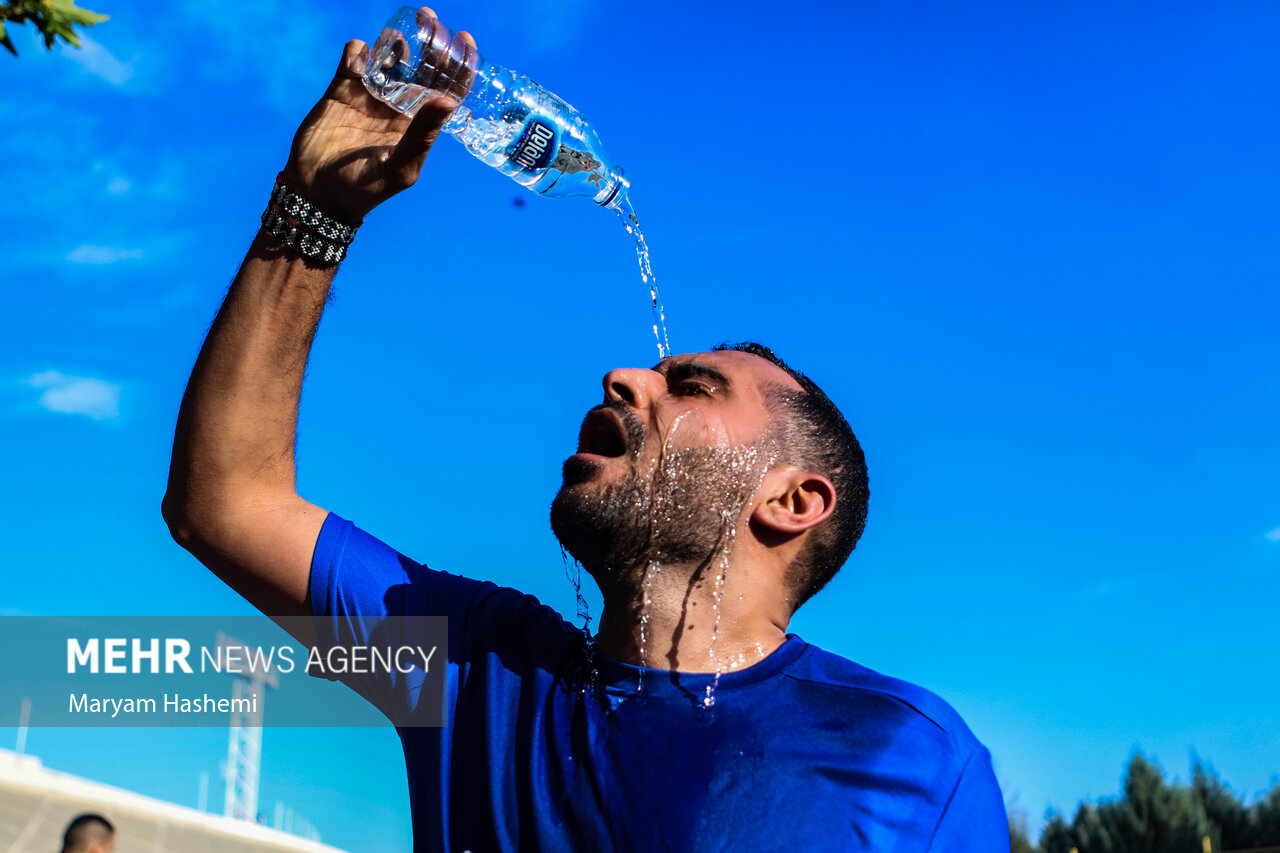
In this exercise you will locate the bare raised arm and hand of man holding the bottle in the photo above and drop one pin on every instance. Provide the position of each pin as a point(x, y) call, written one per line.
point(232, 499)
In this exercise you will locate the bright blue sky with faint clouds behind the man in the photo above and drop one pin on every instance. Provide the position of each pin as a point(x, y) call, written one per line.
point(1032, 254)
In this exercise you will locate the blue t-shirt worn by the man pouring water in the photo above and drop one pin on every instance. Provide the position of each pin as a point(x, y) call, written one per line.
point(804, 751)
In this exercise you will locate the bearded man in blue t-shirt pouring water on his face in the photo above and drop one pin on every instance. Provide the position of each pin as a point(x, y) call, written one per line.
point(710, 498)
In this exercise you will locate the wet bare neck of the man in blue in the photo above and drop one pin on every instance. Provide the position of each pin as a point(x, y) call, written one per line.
point(693, 619)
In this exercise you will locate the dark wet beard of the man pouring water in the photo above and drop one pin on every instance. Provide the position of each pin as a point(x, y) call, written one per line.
point(680, 510)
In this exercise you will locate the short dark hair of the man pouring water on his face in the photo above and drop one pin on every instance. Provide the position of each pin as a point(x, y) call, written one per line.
point(817, 437)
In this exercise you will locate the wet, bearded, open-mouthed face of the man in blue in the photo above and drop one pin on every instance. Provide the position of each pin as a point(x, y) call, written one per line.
point(668, 462)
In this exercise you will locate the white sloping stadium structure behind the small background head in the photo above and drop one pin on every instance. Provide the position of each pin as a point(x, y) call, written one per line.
point(36, 805)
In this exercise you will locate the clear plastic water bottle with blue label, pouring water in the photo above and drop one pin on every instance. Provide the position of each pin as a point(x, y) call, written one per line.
point(504, 118)
